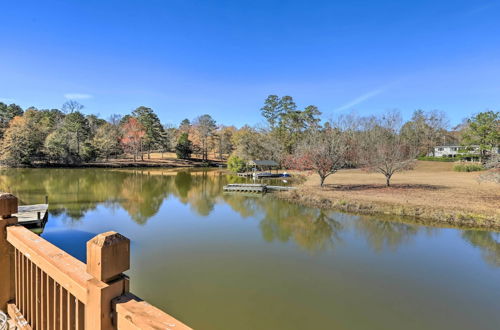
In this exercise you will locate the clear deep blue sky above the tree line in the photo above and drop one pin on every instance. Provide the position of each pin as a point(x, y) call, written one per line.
point(184, 58)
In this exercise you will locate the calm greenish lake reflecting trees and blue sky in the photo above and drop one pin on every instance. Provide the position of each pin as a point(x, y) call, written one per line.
point(232, 261)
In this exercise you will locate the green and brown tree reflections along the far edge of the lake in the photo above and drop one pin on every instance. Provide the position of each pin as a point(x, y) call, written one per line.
point(141, 192)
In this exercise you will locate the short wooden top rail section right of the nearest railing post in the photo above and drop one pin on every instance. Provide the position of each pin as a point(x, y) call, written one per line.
point(134, 314)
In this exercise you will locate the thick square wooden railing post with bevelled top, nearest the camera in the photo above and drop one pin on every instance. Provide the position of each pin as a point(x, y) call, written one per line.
point(108, 256)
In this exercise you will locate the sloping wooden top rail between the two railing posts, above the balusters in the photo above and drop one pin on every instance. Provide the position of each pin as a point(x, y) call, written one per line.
point(62, 267)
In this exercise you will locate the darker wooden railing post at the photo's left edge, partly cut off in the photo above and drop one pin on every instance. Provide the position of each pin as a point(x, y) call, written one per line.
point(8, 206)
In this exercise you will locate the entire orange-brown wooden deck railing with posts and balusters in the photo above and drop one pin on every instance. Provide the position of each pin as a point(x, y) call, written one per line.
point(43, 287)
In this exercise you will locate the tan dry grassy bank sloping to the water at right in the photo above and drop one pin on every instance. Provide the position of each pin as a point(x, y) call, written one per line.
point(432, 193)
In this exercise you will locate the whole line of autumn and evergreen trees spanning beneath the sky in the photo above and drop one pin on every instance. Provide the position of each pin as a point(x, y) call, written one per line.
point(292, 136)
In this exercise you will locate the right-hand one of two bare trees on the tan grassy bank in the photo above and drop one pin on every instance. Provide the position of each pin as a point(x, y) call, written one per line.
point(383, 149)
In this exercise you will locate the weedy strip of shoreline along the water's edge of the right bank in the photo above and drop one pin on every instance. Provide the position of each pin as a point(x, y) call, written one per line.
point(422, 215)
